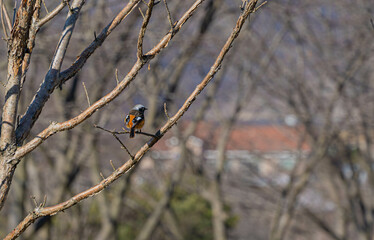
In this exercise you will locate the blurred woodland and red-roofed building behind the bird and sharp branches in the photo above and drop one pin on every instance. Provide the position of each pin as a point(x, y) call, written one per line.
point(279, 145)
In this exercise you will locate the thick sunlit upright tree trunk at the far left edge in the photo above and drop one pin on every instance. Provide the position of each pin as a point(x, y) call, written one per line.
point(17, 47)
